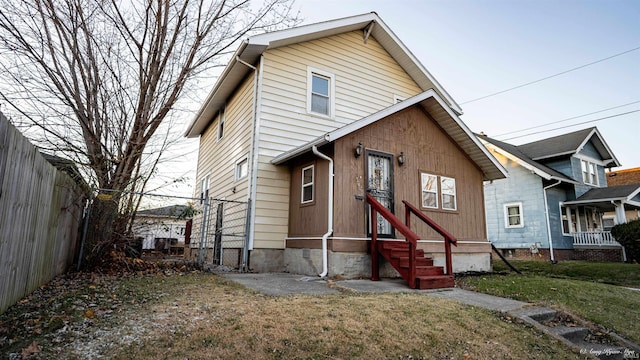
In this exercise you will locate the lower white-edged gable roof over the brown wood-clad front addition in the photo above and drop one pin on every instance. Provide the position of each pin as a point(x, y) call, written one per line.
point(442, 114)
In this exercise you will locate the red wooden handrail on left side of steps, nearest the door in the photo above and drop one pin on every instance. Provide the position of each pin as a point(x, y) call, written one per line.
point(410, 236)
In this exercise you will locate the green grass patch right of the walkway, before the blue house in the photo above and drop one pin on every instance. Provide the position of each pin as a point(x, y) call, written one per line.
point(590, 290)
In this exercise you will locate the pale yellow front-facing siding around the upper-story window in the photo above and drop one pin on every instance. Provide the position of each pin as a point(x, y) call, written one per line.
point(366, 80)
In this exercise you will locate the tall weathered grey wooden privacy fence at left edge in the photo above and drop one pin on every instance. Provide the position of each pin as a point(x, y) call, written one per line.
point(40, 210)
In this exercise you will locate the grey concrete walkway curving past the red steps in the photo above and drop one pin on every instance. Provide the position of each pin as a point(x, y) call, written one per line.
point(288, 284)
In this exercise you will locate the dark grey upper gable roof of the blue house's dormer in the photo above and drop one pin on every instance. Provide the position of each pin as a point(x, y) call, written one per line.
point(569, 144)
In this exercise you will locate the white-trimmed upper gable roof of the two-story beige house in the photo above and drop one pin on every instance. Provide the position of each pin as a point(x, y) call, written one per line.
point(252, 48)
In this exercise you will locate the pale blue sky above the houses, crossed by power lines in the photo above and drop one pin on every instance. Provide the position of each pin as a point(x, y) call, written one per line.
point(477, 48)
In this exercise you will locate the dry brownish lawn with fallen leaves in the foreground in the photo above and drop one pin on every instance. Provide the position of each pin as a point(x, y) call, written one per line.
point(203, 316)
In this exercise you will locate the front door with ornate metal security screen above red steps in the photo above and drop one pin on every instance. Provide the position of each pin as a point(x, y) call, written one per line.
point(380, 186)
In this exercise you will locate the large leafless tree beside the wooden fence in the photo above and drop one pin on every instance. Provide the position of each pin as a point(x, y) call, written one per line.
point(95, 79)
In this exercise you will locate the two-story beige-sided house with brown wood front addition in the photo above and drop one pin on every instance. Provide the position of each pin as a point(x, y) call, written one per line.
point(304, 123)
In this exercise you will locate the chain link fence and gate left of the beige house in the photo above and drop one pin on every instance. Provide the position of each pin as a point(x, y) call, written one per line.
point(210, 231)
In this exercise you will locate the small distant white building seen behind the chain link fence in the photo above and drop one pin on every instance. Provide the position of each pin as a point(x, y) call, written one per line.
point(163, 229)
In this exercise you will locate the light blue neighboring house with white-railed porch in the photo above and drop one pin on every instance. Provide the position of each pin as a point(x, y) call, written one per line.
point(553, 202)
